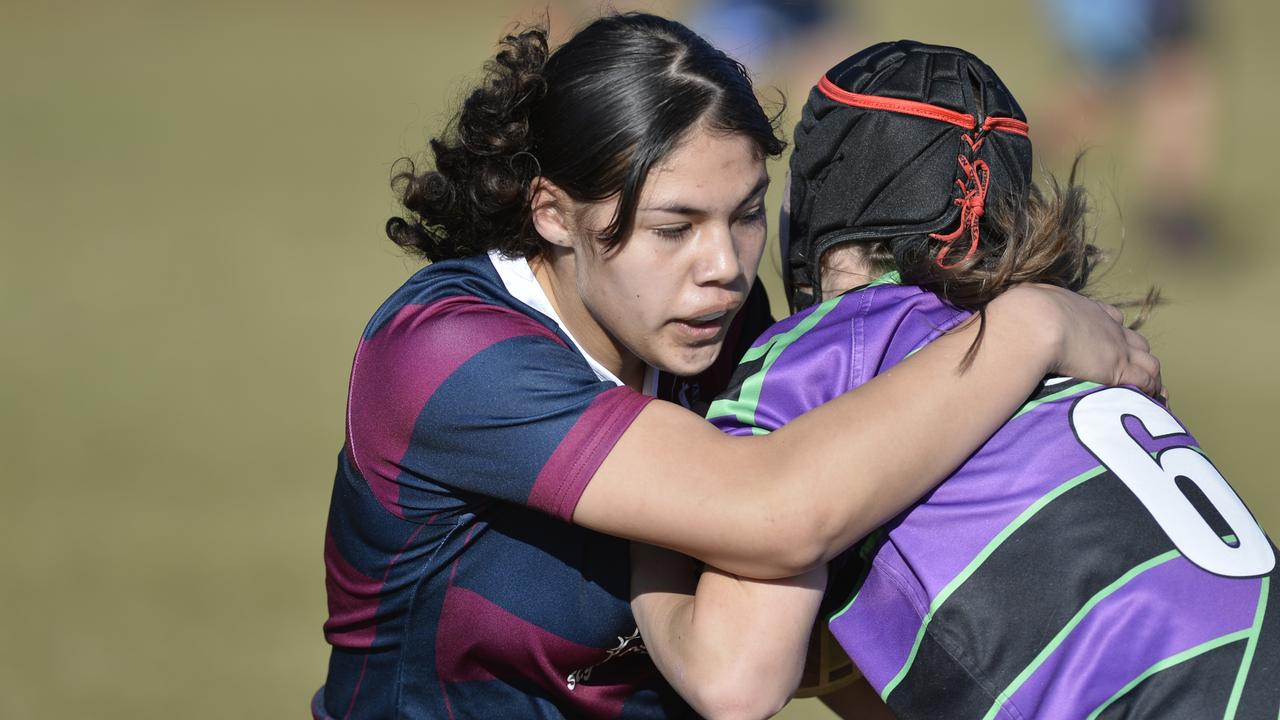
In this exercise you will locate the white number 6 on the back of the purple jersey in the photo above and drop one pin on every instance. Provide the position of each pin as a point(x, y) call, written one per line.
point(1099, 422)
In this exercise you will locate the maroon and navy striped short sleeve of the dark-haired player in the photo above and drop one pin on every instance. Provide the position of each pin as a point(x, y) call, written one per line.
point(459, 403)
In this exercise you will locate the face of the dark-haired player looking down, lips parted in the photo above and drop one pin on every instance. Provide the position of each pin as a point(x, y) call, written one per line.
point(668, 294)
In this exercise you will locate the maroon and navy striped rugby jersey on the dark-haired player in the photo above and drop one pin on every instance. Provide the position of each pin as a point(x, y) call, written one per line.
point(458, 585)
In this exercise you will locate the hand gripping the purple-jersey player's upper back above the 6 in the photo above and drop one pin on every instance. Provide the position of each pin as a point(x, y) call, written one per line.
point(1087, 339)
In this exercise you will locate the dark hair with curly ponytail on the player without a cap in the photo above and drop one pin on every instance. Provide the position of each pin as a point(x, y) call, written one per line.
point(593, 117)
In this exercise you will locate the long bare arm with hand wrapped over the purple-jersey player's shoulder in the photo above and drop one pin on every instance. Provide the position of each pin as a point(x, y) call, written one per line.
point(780, 505)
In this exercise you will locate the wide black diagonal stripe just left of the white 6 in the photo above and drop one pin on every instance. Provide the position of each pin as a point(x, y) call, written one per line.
point(1018, 600)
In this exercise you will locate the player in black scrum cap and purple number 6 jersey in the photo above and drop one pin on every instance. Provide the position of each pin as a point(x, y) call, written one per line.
point(1089, 560)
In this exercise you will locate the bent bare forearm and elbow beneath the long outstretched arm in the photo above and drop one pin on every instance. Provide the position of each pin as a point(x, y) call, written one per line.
point(732, 648)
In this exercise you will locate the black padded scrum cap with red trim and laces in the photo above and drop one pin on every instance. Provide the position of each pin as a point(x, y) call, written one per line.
point(902, 140)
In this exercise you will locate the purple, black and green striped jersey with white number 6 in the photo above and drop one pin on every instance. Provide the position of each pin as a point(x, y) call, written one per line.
point(1087, 562)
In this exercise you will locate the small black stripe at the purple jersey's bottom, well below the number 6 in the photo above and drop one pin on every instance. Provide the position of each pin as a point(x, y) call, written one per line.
point(1194, 690)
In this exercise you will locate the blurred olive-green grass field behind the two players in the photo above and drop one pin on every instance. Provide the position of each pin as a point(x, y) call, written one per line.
point(191, 209)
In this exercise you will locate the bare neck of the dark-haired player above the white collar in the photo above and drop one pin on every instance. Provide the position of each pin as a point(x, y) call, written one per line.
point(557, 276)
